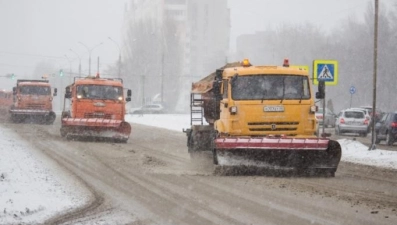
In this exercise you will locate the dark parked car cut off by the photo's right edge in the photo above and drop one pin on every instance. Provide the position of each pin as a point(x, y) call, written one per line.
point(386, 128)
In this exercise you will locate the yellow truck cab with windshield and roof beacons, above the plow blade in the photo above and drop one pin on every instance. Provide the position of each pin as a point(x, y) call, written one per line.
point(264, 100)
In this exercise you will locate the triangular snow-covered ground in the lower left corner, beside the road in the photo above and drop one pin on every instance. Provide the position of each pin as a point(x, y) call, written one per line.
point(32, 187)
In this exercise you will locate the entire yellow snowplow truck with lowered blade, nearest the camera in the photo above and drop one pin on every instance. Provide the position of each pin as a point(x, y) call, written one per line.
point(260, 116)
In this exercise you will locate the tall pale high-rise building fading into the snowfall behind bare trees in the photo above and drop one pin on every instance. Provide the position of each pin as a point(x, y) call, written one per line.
point(201, 29)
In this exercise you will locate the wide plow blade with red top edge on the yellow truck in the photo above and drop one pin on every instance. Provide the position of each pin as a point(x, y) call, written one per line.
point(315, 154)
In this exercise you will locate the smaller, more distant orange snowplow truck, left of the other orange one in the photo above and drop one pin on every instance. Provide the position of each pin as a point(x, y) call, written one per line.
point(32, 99)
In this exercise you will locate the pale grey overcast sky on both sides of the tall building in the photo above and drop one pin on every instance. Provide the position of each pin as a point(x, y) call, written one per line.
point(44, 30)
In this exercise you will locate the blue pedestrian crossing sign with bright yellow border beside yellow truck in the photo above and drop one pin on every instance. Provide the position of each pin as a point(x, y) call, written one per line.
point(325, 70)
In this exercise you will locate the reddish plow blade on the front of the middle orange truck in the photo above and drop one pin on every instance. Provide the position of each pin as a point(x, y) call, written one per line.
point(117, 130)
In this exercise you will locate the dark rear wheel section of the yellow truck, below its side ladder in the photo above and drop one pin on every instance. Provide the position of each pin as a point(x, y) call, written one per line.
point(199, 140)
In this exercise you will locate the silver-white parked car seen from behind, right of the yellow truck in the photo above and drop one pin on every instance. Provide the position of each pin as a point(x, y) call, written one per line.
point(352, 120)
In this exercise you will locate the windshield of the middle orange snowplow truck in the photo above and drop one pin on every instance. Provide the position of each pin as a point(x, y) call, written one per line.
point(99, 92)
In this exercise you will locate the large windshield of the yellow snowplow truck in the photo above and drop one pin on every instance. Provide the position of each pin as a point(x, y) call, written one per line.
point(262, 87)
